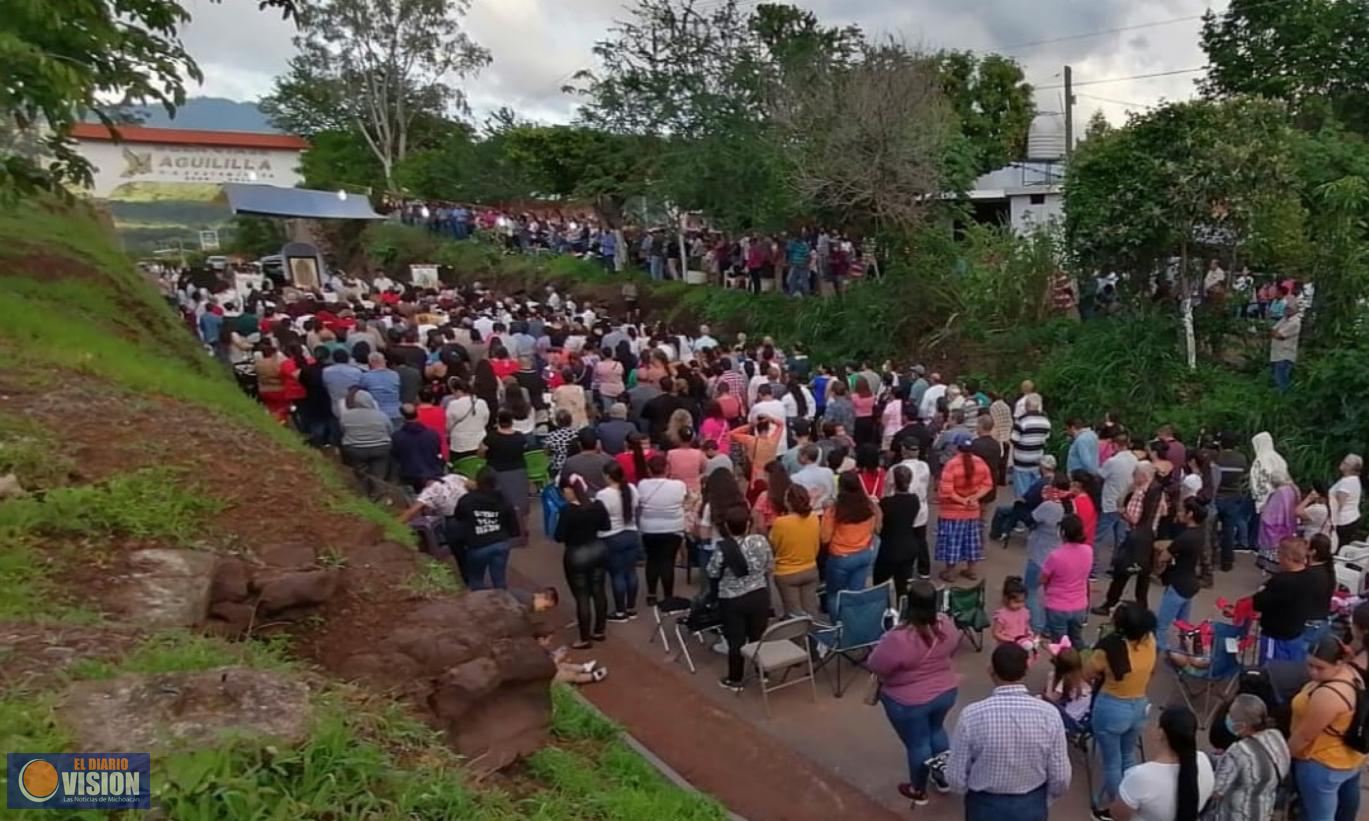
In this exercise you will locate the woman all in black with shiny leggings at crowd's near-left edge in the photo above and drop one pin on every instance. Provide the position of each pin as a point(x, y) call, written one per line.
point(587, 558)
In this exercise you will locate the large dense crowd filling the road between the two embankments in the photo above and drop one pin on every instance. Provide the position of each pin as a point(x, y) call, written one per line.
point(789, 481)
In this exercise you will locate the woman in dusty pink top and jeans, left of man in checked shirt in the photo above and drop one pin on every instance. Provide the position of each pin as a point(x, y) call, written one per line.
point(917, 683)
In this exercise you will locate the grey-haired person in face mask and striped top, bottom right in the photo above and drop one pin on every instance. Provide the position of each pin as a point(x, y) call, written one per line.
point(1251, 771)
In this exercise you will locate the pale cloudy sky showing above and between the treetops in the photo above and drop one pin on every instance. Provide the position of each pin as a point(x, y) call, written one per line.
point(539, 44)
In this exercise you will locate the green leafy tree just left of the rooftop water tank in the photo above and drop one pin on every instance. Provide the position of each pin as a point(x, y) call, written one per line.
point(995, 105)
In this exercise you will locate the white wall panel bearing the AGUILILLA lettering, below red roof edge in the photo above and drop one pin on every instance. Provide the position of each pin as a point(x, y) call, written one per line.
point(155, 162)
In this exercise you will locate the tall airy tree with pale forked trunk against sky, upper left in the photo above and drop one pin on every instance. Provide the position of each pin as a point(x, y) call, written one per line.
point(380, 65)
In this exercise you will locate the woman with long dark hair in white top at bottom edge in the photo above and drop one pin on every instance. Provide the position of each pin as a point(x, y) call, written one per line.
point(1177, 782)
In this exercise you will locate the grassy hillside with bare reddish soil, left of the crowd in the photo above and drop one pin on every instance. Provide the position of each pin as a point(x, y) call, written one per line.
point(129, 439)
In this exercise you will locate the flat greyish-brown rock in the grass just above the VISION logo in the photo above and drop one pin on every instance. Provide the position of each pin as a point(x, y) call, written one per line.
point(185, 711)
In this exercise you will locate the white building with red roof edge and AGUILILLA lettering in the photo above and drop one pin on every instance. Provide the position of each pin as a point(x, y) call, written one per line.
point(144, 155)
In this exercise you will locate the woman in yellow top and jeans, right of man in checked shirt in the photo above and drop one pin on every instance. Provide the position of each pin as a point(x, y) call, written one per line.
point(1126, 659)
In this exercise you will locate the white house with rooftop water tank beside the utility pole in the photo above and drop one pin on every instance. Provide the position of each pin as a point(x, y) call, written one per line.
point(1029, 192)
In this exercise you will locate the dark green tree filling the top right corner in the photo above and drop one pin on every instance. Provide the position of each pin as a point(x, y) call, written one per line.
point(1312, 54)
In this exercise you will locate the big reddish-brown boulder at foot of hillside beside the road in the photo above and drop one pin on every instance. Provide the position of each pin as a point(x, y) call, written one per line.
point(476, 668)
